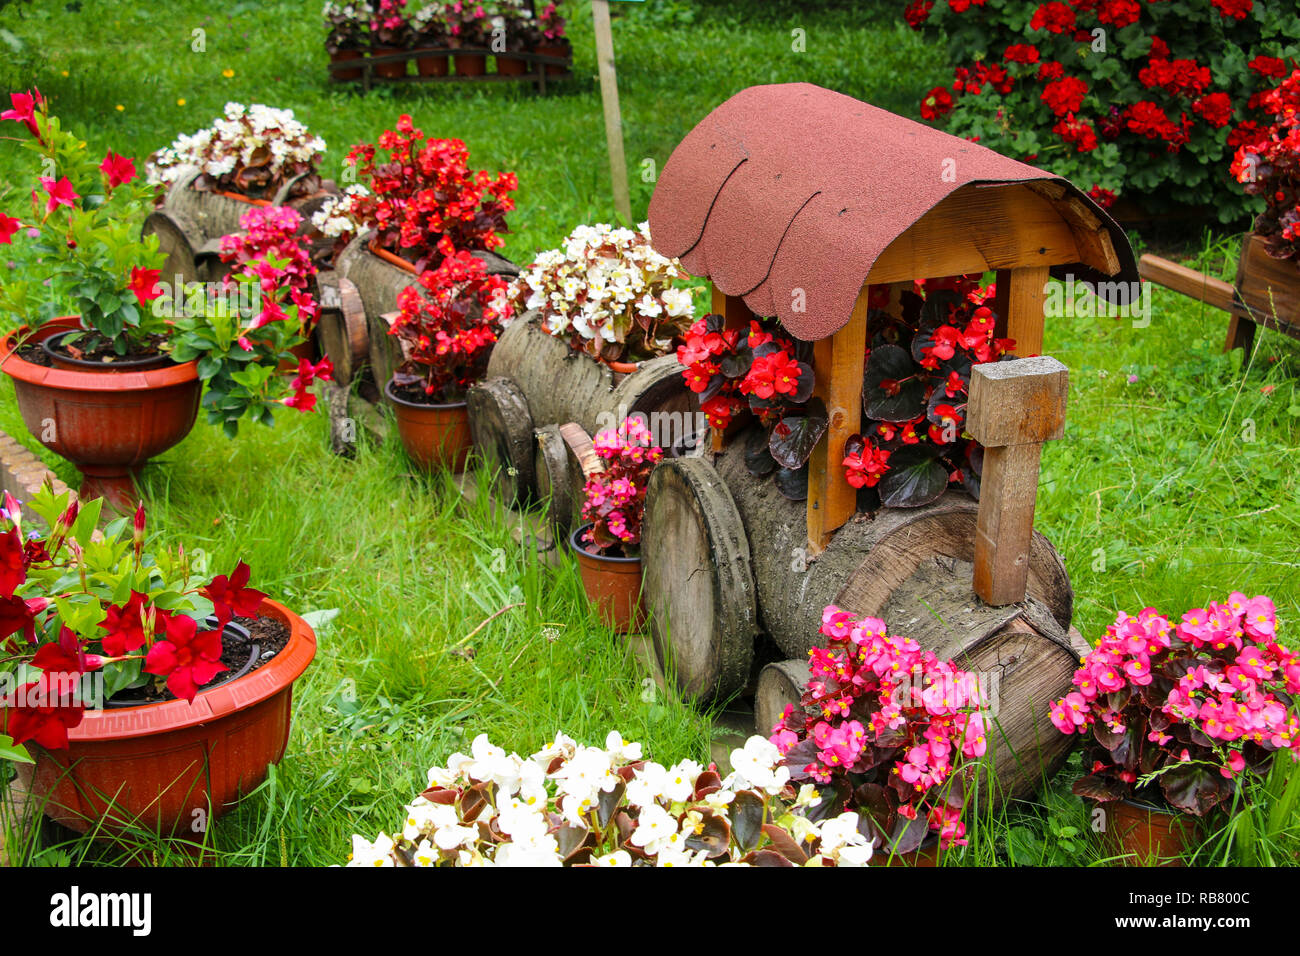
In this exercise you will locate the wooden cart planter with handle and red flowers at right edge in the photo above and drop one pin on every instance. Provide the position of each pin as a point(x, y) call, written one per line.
point(1268, 278)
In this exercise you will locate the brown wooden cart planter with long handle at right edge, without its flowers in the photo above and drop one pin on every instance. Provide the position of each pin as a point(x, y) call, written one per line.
point(1267, 292)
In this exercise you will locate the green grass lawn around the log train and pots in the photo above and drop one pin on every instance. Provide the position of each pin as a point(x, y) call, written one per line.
point(1178, 479)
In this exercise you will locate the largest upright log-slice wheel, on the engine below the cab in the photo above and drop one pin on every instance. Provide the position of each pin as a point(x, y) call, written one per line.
point(699, 583)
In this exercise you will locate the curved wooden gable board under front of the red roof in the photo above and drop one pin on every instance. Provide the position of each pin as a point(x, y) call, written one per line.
point(977, 230)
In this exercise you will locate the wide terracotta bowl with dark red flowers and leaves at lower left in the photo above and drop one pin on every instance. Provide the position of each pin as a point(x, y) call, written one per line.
point(194, 700)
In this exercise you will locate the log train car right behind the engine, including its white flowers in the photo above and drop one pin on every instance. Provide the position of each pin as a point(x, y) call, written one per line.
point(613, 309)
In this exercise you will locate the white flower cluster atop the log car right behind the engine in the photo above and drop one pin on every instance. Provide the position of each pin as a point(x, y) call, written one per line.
point(601, 280)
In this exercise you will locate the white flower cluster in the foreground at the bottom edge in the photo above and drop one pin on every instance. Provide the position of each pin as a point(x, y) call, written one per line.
point(562, 786)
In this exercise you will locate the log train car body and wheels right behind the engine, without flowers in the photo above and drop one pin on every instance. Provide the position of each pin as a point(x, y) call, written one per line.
point(536, 383)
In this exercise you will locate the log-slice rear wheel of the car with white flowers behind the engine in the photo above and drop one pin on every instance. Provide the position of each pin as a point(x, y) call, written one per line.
point(504, 434)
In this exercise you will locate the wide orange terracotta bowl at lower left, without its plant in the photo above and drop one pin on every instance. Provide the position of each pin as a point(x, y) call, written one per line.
point(166, 767)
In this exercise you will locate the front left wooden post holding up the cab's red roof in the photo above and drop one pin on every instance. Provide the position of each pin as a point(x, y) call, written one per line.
point(838, 366)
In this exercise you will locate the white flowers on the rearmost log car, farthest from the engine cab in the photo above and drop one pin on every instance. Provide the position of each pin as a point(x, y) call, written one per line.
point(242, 137)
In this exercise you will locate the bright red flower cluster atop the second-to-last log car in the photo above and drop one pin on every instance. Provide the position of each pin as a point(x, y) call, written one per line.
point(426, 201)
